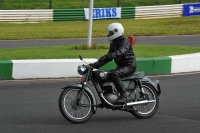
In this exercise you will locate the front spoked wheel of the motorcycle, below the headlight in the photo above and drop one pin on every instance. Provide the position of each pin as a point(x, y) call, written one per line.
point(71, 110)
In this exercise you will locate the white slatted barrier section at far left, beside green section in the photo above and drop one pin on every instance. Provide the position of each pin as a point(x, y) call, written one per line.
point(26, 16)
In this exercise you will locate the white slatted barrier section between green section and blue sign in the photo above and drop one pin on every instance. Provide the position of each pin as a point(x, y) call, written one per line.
point(163, 11)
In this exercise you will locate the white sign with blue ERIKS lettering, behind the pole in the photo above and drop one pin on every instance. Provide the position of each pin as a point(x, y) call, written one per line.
point(102, 13)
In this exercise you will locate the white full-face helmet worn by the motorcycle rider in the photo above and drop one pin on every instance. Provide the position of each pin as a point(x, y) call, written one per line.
point(114, 30)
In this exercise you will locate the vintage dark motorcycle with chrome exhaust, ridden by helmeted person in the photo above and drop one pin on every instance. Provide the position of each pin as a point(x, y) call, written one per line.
point(78, 103)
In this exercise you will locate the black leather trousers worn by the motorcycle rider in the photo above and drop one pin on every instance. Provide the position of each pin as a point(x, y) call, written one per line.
point(120, 72)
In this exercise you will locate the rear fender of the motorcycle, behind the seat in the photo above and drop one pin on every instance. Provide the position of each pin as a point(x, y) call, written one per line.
point(154, 83)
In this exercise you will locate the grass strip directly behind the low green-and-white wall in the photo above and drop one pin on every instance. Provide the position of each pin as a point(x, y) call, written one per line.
point(67, 52)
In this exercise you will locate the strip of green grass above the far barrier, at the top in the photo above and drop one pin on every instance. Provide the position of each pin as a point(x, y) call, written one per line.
point(45, 4)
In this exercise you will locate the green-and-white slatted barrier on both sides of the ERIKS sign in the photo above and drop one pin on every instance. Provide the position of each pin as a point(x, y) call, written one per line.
point(48, 15)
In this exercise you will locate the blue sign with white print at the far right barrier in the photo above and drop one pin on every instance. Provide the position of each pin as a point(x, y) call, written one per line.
point(191, 9)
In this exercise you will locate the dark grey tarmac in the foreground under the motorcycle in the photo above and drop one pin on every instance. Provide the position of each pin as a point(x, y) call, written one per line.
point(31, 106)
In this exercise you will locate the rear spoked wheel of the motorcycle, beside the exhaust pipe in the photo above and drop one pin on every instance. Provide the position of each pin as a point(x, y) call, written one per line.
point(147, 110)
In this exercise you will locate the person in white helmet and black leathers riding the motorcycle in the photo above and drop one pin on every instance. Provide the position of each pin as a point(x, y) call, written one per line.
point(121, 51)
